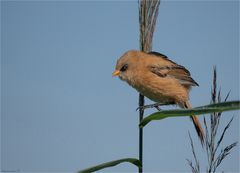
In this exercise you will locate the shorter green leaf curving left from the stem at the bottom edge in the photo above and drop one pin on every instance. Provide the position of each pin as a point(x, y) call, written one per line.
point(112, 163)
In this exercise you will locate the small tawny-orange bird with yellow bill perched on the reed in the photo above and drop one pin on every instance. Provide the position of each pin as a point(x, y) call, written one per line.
point(158, 78)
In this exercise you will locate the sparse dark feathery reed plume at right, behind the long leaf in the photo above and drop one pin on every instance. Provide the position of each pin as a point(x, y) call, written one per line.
point(215, 157)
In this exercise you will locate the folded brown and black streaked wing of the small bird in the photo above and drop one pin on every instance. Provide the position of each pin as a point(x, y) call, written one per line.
point(173, 70)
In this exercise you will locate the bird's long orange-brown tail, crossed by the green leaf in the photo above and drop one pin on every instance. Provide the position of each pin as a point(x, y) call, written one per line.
point(196, 123)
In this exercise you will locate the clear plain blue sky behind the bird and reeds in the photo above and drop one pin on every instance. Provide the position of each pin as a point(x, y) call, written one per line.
point(61, 110)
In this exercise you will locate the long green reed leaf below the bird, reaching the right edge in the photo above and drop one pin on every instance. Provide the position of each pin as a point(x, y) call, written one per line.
point(218, 107)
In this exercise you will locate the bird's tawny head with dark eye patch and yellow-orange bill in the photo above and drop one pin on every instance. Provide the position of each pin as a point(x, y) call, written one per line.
point(126, 65)
